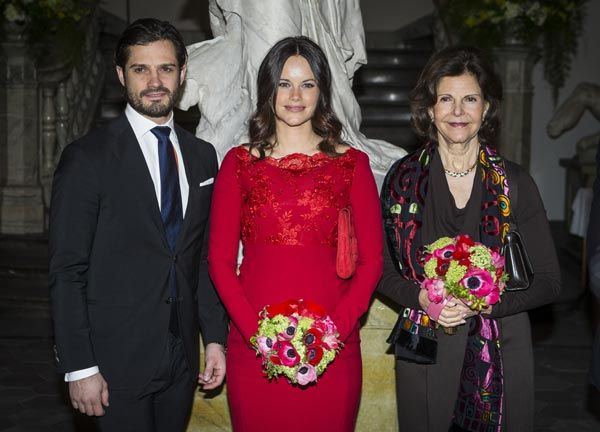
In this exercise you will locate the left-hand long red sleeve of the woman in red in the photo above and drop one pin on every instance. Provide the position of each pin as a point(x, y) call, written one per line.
point(224, 243)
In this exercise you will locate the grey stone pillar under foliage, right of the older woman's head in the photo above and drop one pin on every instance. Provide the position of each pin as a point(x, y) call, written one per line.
point(515, 64)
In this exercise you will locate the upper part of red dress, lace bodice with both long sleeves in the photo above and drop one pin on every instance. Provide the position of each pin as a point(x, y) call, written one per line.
point(286, 211)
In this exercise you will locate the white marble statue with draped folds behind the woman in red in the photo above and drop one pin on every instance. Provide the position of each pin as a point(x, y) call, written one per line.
point(222, 71)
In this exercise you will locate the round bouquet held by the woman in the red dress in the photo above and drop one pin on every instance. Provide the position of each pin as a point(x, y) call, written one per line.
point(296, 339)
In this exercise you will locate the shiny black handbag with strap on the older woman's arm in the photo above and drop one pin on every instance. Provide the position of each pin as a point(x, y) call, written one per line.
point(516, 260)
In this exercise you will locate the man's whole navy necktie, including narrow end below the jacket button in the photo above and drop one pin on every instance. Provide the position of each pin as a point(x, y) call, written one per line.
point(170, 208)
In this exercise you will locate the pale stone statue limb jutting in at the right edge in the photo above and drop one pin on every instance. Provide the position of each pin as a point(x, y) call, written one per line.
point(586, 96)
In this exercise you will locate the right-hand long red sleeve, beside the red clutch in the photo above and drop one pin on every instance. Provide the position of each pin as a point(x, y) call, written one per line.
point(366, 210)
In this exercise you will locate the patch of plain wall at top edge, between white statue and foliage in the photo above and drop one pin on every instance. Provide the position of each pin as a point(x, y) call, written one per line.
point(388, 15)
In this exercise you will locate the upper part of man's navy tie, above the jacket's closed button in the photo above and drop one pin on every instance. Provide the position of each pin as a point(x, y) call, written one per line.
point(170, 194)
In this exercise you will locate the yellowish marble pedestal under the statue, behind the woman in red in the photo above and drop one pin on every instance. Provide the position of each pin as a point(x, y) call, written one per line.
point(378, 403)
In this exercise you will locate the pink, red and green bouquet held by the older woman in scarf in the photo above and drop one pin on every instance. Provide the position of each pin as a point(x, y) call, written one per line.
point(463, 269)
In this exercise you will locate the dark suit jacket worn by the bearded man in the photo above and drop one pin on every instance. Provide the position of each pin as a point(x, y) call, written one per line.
point(110, 262)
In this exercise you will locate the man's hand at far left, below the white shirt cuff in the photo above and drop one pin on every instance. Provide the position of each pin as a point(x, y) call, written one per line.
point(89, 395)
